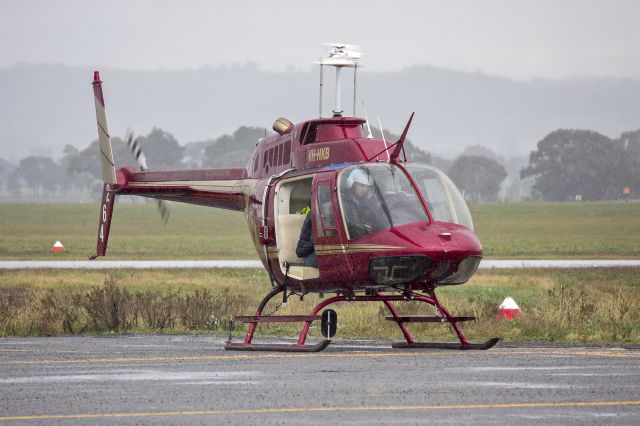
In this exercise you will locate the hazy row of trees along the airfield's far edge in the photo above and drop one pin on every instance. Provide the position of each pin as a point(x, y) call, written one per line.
point(567, 165)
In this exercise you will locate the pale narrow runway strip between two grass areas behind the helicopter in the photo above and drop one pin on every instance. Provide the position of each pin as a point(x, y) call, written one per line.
point(207, 264)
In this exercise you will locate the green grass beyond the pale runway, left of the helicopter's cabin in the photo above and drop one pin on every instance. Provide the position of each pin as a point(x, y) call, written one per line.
point(27, 231)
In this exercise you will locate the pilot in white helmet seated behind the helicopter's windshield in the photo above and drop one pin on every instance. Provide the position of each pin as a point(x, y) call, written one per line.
point(358, 206)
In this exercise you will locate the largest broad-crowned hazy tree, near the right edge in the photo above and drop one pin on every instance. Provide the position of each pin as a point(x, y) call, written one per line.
point(577, 162)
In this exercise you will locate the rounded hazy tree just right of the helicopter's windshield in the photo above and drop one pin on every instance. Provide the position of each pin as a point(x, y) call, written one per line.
point(478, 177)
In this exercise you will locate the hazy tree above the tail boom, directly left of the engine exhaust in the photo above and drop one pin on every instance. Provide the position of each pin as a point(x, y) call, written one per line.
point(233, 150)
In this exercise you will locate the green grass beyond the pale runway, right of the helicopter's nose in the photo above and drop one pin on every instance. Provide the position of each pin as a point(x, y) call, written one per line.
point(604, 230)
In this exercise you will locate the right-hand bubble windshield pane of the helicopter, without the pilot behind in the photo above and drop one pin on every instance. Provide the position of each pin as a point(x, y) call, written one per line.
point(445, 202)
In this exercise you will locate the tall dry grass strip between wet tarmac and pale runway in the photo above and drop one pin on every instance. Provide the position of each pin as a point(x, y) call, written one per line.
point(599, 305)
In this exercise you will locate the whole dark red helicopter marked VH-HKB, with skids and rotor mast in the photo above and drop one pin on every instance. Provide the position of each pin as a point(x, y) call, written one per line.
point(383, 229)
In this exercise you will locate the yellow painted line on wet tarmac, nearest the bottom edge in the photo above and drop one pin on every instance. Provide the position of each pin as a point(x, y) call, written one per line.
point(326, 409)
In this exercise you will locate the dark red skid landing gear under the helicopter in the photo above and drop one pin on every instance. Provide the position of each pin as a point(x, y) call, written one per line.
point(444, 317)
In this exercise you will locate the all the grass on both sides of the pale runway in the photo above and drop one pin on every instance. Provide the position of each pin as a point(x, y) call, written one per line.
point(569, 305)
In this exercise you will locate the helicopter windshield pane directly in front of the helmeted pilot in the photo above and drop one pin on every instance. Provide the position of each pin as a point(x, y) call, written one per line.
point(375, 197)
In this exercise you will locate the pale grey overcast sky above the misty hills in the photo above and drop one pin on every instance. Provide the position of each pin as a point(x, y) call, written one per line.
point(517, 39)
